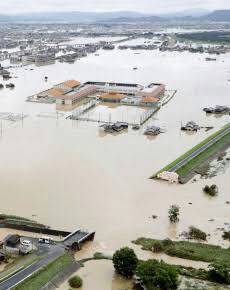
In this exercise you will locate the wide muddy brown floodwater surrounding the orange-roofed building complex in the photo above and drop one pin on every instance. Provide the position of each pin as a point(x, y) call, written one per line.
point(71, 176)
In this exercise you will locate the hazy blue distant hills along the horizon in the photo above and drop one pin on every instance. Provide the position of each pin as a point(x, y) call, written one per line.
point(118, 16)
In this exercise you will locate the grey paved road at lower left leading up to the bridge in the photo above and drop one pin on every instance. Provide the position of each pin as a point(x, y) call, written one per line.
point(54, 252)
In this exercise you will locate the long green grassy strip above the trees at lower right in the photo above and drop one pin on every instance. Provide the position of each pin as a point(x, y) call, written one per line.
point(188, 250)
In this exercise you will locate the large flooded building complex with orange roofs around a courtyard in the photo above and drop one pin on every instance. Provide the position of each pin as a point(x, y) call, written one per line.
point(71, 92)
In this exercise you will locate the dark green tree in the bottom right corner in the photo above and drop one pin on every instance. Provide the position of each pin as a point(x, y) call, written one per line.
point(219, 272)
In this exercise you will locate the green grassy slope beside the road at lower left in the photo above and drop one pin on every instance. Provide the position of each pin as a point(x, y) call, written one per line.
point(44, 275)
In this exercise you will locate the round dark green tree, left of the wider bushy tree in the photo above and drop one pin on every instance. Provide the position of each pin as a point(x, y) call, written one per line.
point(125, 262)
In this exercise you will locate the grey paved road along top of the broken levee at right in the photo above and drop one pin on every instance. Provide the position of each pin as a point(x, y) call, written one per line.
point(199, 150)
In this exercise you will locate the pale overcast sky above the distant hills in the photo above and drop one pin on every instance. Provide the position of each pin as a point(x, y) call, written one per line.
point(148, 6)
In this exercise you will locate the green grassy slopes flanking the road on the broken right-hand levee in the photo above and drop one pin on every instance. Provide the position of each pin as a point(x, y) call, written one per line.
point(199, 159)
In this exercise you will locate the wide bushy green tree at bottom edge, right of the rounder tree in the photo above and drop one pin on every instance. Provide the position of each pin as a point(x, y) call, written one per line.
point(157, 275)
